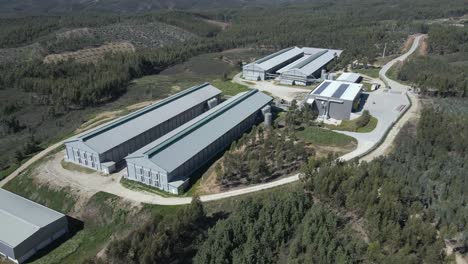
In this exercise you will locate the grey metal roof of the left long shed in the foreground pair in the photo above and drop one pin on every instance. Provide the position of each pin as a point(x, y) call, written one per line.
point(112, 134)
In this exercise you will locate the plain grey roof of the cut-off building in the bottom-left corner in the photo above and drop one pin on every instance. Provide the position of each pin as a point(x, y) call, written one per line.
point(20, 218)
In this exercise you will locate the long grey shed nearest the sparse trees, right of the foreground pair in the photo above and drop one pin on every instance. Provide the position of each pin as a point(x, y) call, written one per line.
point(168, 162)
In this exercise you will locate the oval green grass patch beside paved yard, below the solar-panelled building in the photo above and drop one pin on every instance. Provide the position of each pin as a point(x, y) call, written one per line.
point(321, 136)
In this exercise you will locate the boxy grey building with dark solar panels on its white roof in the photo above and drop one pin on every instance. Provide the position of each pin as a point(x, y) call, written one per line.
point(335, 99)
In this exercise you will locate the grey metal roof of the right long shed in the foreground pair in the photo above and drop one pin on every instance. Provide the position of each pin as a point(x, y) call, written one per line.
point(172, 150)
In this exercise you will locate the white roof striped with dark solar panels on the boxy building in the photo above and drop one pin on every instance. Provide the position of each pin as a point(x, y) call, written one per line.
point(338, 90)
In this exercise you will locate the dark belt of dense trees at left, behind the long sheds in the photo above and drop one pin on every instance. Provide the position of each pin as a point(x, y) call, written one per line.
point(71, 83)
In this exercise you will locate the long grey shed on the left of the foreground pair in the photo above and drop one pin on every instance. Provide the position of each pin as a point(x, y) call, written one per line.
point(105, 147)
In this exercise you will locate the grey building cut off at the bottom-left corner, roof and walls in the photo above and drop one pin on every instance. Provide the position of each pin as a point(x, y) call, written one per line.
point(26, 227)
